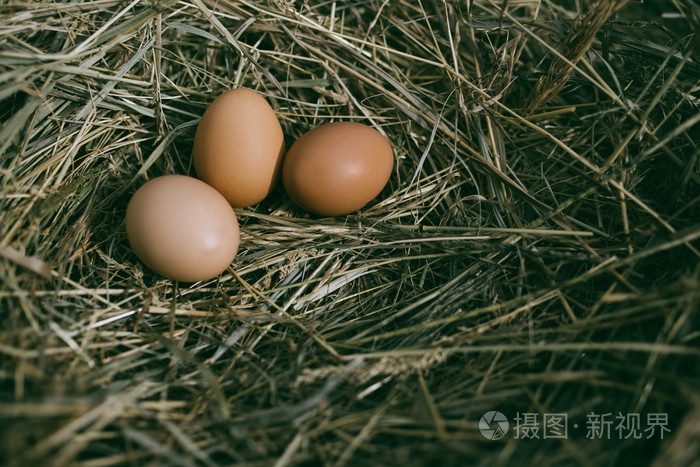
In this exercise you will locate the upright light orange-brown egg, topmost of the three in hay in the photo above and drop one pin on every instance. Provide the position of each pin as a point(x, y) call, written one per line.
point(238, 147)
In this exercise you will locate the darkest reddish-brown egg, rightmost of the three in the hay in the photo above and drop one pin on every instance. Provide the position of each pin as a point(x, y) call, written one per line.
point(337, 168)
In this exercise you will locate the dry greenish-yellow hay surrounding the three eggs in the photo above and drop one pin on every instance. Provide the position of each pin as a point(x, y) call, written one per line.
point(535, 252)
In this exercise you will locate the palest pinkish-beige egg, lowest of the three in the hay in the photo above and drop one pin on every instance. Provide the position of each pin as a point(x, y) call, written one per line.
point(182, 228)
